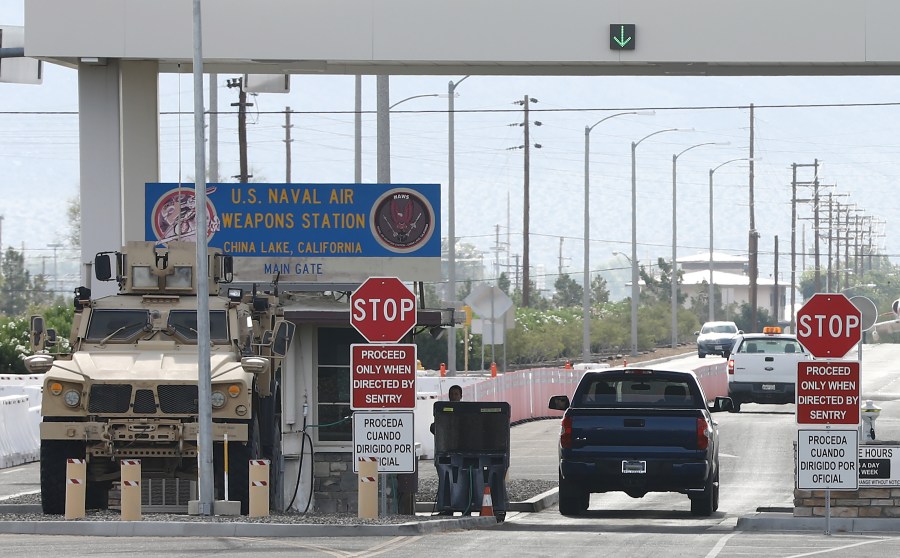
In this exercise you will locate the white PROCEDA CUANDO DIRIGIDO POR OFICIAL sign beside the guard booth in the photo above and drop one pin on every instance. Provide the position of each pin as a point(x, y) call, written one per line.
point(388, 437)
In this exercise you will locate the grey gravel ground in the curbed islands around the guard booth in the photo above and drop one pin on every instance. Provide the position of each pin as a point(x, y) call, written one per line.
point(517, 491)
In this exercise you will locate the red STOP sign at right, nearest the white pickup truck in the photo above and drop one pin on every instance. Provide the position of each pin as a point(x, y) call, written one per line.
point(829, 325)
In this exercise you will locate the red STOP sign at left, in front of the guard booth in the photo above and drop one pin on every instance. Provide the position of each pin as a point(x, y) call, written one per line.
point(383, 310)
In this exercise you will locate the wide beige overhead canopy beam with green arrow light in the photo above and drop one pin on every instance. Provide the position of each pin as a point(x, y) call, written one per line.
point(528, 37)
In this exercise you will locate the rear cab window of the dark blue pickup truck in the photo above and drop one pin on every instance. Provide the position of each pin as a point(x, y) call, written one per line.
point(640, 391)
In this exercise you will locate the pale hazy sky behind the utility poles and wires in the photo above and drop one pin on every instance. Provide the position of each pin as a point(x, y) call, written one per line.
point(858, 144)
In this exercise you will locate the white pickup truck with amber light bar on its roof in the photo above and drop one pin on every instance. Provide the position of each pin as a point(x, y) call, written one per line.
point(762, 367)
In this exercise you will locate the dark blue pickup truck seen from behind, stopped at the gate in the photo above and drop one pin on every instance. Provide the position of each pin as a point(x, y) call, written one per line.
point(636, 431)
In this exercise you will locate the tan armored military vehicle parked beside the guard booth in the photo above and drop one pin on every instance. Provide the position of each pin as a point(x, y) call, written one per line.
point(129, 387)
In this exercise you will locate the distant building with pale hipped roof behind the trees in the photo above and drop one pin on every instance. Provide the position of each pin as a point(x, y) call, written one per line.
point(731, 278)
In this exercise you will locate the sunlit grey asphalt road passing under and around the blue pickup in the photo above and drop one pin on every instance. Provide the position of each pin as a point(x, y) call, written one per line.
point(757, 472)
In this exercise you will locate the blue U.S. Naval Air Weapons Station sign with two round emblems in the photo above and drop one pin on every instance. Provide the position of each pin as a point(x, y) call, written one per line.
point(308, 232)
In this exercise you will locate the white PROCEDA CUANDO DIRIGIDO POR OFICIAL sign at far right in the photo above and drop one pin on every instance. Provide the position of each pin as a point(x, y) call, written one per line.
point(827, 459)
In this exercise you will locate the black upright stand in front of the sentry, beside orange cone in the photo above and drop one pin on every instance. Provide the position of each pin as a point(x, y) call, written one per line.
point(471, 442)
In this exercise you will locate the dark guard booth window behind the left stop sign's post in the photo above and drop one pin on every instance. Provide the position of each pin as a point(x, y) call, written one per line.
point(333, 383)
